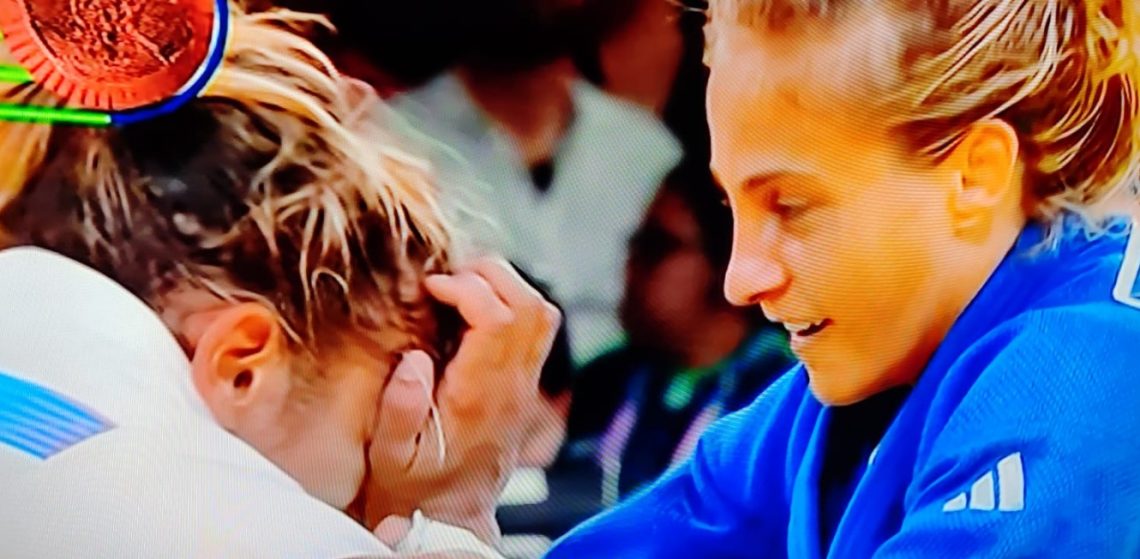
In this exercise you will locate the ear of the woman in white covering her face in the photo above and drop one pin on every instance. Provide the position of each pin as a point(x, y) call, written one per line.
point(240, 364)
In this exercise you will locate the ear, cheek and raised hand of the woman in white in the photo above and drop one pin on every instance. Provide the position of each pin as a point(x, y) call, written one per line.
point(364, 417)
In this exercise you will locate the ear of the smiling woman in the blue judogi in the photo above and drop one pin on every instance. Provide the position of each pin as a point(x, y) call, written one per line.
point(987, 163)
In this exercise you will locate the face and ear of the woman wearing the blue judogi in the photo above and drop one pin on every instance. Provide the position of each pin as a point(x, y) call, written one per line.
point(838, 223)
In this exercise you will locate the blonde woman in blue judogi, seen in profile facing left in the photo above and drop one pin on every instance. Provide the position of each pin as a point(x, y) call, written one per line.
point(924, 196)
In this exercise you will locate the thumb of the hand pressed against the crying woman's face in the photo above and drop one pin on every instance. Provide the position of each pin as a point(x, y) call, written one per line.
point(405, 408)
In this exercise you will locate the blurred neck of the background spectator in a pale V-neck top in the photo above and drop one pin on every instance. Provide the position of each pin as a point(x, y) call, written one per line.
point(535, 107)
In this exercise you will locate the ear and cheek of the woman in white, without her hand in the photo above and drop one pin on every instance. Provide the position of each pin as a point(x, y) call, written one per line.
point(312, 420)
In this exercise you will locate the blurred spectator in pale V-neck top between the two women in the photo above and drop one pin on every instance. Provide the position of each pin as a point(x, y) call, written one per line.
point(541, 166)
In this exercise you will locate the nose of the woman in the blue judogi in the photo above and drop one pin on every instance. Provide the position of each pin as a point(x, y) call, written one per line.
point(755, 271)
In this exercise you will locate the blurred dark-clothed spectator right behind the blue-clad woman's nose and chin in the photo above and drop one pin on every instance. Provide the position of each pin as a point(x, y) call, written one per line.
point(691, 358)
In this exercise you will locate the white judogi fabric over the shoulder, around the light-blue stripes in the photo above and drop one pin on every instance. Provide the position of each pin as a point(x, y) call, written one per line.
point(166, 482)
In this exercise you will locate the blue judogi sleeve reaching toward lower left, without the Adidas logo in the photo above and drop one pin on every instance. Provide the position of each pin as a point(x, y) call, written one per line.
point(719, 504)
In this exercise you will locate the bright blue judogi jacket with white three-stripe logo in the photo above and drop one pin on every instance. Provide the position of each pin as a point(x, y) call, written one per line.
point(1041, 367)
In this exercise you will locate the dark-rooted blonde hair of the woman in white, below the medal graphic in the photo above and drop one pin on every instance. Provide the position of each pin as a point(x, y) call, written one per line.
point(278, 185)
